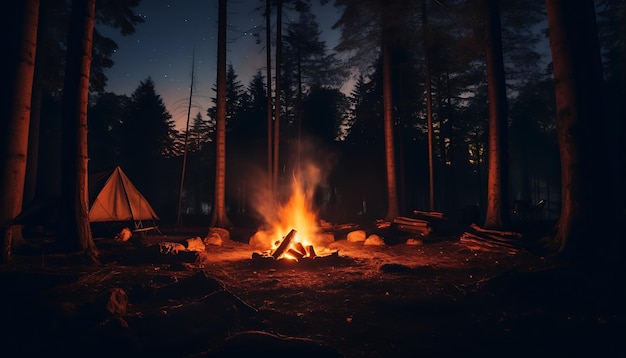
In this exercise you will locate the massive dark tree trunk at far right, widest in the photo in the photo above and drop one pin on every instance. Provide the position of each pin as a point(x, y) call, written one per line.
point(587, 209)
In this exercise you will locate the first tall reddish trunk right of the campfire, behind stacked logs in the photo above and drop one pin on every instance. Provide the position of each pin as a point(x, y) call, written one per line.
point(393, 210)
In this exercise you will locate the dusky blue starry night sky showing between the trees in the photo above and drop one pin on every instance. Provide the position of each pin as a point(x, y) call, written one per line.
point(162, 48)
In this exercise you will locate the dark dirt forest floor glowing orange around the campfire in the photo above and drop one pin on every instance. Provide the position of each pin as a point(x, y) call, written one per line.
point(440, 298)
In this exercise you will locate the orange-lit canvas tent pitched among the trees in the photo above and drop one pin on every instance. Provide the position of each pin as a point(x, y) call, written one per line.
point(116, 199)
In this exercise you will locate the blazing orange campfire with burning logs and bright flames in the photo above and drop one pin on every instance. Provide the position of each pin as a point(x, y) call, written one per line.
point(293, 231)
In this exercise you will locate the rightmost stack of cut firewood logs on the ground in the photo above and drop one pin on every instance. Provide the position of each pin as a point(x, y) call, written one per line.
point(481, 239)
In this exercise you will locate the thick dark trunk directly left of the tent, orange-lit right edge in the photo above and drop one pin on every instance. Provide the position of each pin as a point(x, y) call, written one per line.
point(75, 229)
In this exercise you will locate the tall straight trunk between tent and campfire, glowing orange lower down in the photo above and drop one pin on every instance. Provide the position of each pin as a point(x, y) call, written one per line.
point(220, 218)
